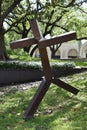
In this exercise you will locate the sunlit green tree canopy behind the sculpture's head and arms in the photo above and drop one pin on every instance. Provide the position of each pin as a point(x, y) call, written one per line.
point(55, 17)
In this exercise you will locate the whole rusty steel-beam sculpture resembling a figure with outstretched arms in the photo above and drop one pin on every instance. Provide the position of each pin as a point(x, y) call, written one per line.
point(48, 79)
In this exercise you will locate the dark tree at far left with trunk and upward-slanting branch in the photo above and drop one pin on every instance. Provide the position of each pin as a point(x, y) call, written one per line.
point(4, 12)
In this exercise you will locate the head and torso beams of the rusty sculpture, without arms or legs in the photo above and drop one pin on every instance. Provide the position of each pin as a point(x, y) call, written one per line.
point(43, 52)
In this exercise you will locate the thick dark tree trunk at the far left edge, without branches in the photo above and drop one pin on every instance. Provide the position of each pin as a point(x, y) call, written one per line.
point(3, 53)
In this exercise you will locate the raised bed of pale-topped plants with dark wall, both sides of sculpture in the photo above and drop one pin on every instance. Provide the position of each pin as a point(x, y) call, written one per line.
point(18, 72)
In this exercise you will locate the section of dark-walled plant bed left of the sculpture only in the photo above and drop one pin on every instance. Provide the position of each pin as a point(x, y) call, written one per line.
point(17, 72)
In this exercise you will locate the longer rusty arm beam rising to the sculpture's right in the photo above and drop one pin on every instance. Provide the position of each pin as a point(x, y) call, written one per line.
point(58, 39)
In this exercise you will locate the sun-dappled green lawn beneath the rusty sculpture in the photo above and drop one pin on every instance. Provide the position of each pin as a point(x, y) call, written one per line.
point(59, 110)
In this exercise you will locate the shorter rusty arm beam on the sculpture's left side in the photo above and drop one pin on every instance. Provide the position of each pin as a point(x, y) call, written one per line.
point(23, 43)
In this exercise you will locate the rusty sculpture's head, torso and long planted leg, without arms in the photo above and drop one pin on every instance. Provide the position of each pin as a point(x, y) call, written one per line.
point(47, 72)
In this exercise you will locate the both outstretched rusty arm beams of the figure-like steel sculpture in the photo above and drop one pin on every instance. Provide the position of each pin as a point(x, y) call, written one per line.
point(43, 42)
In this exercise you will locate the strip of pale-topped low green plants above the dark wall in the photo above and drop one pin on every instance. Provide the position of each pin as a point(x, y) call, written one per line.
point(34, 65)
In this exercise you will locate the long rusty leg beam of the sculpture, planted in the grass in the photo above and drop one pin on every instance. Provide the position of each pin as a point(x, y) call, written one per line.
point(37, 99)
